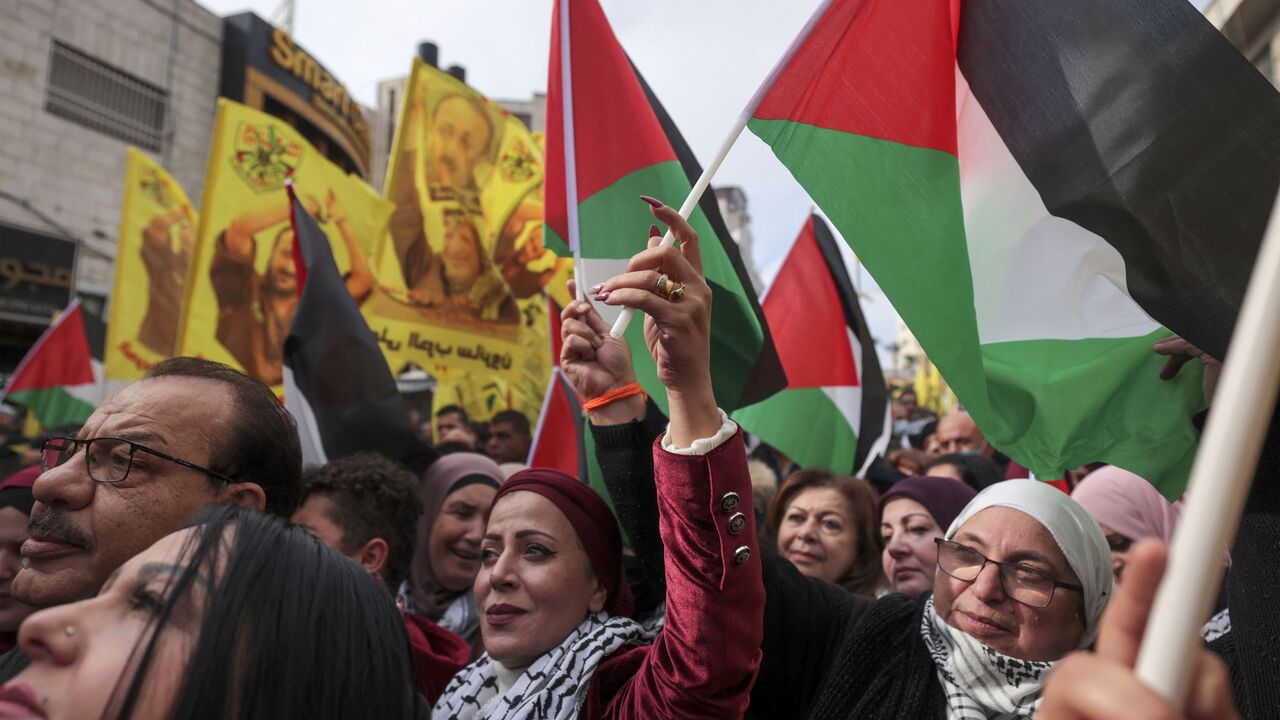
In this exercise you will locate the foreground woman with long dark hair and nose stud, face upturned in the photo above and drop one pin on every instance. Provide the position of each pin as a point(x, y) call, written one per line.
point(239, 616)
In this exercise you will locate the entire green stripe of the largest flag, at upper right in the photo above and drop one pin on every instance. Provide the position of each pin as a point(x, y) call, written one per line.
point(1050, 404)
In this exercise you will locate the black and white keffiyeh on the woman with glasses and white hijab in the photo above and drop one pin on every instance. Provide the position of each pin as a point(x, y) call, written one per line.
point(981, 683)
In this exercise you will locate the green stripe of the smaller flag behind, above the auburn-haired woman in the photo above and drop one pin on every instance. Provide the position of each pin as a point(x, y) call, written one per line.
point(806, 426)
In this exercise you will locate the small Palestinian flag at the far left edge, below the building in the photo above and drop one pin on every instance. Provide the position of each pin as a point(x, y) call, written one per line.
point(61, 380)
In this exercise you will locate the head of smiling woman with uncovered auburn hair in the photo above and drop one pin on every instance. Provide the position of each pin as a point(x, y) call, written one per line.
point(825, 525)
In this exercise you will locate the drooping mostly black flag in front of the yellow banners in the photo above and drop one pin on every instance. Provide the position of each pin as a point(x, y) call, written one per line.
point(337, 384)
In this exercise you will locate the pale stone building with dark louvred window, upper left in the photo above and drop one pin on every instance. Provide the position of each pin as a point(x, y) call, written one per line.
point(81, 83)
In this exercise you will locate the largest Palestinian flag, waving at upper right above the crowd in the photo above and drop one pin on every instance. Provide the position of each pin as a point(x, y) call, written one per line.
point(1041, 195)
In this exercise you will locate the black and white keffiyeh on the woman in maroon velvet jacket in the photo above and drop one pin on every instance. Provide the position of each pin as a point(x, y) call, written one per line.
point(552, 689)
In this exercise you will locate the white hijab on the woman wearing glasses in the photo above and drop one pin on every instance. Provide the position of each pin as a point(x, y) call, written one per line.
point(1077, 534)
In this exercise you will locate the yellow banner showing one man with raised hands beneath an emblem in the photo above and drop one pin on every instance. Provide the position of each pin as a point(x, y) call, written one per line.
point(244, 293)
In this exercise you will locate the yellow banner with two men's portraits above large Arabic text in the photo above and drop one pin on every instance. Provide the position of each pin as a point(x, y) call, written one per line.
point(463, 271)
